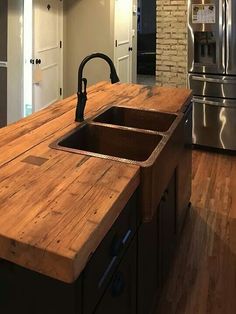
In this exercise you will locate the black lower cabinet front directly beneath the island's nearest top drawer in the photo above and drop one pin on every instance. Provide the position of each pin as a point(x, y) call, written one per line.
point(120, 296)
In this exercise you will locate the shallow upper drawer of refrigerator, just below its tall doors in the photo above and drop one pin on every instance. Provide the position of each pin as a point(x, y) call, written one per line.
point(213, 85)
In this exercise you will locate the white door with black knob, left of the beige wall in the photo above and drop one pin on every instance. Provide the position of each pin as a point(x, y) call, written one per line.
point(47, 51)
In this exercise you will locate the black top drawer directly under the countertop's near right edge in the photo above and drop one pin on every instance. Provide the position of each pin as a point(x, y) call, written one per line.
point(101, 266)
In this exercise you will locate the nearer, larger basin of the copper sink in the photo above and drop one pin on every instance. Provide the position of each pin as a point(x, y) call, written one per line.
point(105, 142)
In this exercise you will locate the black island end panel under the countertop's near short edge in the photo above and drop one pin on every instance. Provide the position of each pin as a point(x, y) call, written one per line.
point(28, 292)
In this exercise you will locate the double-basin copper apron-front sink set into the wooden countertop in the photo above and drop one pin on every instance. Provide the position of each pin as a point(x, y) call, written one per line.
point(147, 138)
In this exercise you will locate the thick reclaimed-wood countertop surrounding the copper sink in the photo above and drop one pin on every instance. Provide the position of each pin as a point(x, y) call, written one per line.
point(55, 206)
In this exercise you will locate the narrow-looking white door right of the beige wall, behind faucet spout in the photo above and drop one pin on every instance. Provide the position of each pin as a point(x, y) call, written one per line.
point(123, 40)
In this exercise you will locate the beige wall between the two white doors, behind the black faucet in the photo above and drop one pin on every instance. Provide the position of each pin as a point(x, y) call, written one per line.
point(88, 28)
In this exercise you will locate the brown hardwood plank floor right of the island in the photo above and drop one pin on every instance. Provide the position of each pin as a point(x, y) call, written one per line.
point(203, 276)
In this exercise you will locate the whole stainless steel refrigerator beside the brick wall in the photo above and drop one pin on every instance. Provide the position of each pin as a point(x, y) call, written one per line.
point(212, 71)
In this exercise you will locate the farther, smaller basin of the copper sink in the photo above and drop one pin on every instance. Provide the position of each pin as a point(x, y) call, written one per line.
point(136, 118)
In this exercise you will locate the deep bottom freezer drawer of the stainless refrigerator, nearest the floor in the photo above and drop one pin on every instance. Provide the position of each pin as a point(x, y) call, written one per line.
point(214, 125)
